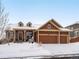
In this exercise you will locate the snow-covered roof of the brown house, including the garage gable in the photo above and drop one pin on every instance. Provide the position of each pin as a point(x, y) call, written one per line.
point(36, 27)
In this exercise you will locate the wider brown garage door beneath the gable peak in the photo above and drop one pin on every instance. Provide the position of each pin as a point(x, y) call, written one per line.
point(48, 37)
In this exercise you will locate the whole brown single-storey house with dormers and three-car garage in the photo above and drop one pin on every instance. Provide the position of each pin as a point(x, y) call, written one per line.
point(49, 32)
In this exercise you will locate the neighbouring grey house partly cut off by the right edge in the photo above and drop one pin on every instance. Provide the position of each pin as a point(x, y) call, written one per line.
point(75, 29)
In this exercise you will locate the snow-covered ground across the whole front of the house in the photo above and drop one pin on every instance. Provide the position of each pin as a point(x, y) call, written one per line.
point(29, 49)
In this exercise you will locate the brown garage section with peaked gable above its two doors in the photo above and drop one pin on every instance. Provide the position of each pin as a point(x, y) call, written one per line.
point(52, 32)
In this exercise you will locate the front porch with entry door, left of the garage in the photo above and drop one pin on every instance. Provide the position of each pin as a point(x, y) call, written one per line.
point(23, 35)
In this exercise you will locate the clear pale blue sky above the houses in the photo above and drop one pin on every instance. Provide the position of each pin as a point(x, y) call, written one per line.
point(65, 12)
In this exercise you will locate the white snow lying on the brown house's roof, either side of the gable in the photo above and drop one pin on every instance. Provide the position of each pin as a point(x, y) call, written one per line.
point(34, 27)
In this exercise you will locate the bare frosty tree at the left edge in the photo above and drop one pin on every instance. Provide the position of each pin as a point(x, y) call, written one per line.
point(3, 20)
